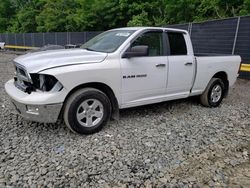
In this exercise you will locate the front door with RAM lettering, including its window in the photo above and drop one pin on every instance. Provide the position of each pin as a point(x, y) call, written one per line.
point(145, 78)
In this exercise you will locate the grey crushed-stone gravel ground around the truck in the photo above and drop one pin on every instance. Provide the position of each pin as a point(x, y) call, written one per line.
point(172, 144)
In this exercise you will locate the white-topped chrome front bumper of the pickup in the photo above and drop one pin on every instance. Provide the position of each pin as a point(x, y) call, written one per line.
point(38, 106)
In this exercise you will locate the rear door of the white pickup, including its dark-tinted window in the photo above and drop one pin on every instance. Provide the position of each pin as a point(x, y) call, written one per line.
point(181, 64)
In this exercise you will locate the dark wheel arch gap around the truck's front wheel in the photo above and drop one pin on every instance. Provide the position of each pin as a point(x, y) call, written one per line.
point(105, 89)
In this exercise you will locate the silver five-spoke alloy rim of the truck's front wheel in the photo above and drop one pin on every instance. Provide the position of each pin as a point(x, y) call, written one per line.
point(90, 112)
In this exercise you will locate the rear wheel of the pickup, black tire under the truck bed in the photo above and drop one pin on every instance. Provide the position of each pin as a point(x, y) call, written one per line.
point(206, 98)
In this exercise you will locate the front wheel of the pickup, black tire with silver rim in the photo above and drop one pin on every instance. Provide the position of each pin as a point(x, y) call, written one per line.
point(75, 104)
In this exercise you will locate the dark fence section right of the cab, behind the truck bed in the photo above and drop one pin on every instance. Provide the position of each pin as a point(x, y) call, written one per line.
point(226, 36)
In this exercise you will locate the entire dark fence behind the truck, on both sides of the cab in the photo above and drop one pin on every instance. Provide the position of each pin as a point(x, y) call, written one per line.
point(226, 36)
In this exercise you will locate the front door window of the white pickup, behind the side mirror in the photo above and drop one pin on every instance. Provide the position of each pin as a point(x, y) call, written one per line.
point(154, 42)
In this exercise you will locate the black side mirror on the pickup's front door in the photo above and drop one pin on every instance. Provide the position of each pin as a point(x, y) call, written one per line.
point(136, 51)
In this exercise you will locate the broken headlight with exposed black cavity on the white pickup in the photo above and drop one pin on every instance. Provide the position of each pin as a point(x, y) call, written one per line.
point(45, 82)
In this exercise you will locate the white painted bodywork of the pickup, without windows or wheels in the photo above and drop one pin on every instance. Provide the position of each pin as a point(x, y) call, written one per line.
point(74, 67)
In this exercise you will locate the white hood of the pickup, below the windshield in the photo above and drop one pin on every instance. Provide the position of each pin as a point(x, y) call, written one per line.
point(38, 61)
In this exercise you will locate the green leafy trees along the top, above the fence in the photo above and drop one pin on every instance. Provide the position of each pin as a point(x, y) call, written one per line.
point(80, 15)
